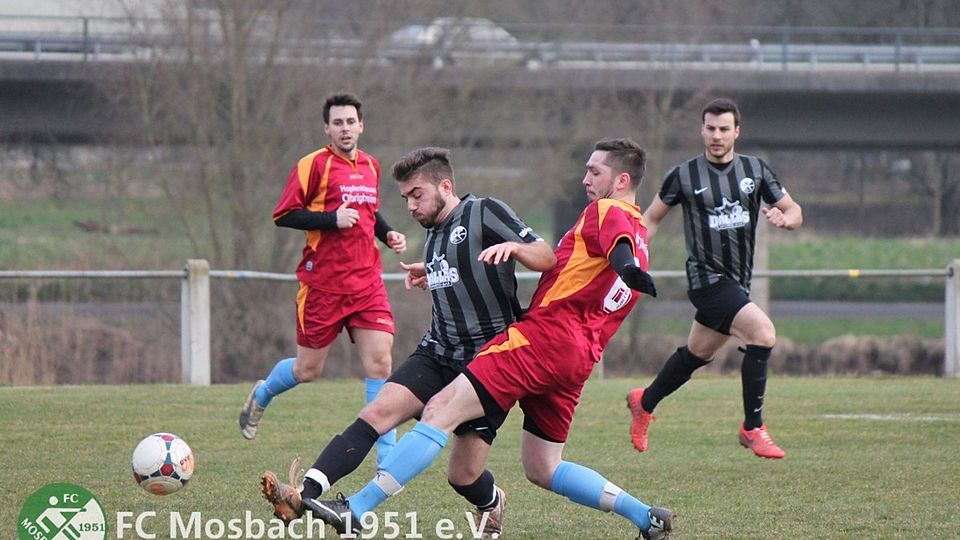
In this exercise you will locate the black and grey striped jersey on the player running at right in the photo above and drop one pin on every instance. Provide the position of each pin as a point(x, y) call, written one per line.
point(720, 209)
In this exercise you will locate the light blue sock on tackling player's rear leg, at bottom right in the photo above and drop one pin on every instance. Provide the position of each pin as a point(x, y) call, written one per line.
point(585, 486)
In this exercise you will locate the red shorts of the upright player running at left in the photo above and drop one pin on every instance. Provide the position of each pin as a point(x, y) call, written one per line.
point(322, 315)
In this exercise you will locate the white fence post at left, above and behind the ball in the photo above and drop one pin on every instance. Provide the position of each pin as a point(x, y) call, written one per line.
point(195, 324)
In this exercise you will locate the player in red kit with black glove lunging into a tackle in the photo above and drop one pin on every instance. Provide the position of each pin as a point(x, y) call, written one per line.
point(543, 360)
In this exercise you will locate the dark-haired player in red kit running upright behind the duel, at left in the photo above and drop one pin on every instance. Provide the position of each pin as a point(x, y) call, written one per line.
point(332, 195)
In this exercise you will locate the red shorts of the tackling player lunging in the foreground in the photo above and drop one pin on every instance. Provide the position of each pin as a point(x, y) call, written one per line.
point(546, 381)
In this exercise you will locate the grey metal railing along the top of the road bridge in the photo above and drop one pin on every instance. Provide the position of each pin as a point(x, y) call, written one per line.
point(539, 45)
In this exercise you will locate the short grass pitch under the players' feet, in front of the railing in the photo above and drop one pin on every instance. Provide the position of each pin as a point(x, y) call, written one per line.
point(866, 458)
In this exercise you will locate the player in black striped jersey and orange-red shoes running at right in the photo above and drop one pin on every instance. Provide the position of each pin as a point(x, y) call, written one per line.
point(722, 195)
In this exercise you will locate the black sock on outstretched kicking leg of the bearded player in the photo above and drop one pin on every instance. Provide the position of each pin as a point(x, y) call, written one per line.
point(342, 455)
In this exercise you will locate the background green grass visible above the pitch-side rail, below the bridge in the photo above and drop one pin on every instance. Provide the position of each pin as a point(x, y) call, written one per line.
point(41, 233)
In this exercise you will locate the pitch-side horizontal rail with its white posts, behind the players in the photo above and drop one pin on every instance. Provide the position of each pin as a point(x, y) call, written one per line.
point(195, 301)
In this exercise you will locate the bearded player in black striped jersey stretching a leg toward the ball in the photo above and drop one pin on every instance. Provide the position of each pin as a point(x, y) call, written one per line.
point(470, 253)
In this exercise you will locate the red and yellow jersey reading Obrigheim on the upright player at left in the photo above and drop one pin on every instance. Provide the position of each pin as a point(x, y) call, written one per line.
point(336, 260)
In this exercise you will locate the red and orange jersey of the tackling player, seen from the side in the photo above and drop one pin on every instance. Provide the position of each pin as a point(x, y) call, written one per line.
point(580, 303)
